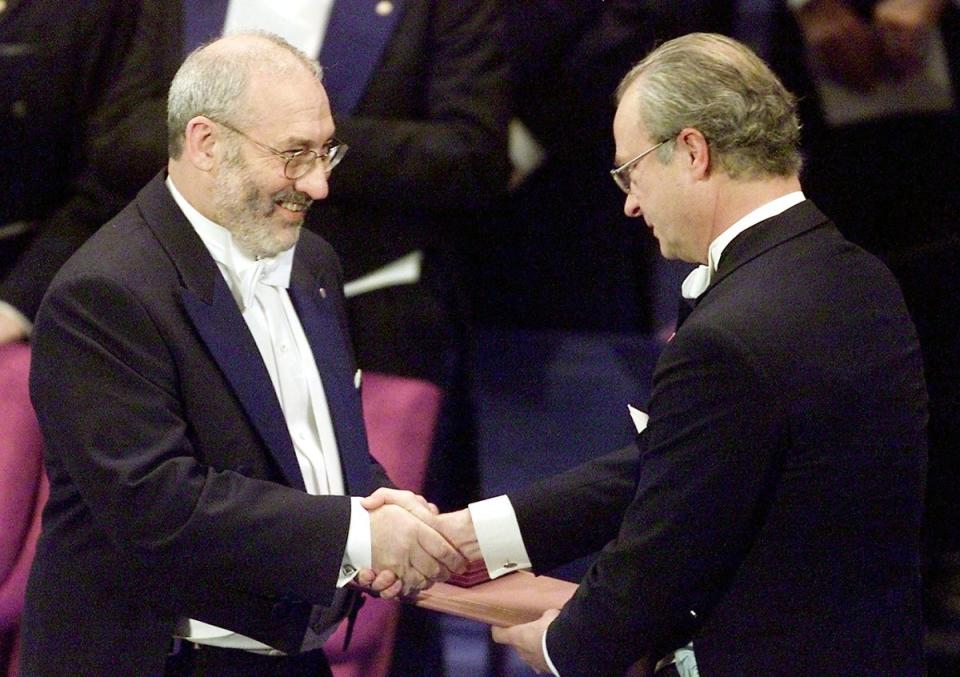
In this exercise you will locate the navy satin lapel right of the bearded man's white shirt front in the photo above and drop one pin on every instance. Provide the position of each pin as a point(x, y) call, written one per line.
point(319, 322)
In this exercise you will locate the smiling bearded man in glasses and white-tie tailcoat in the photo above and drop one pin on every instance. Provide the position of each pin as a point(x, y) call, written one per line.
point(194, 383)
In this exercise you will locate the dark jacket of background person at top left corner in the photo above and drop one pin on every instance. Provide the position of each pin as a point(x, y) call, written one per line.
point(57, 61)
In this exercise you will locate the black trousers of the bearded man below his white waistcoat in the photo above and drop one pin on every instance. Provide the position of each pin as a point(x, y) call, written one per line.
point(207, 661)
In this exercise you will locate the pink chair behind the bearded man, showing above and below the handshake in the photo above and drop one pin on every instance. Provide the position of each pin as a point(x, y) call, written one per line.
point(401, 419)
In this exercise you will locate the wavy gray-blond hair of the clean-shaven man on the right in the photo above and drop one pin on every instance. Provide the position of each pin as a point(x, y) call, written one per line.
point(716, 85)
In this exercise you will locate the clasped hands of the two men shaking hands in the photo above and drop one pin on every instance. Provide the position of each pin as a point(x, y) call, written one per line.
point(413, 546)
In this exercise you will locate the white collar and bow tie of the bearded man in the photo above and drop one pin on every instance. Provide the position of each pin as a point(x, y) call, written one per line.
point(241, 271)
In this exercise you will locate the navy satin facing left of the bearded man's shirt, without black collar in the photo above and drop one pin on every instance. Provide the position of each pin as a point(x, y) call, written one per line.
point(226, 335)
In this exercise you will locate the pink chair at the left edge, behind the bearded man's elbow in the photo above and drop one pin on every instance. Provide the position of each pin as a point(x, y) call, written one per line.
point(23, 491)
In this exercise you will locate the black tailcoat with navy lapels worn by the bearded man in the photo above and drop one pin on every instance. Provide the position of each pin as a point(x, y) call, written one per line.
point(174, 488)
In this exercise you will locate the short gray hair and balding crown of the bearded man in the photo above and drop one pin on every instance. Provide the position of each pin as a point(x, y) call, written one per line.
point(213, 79)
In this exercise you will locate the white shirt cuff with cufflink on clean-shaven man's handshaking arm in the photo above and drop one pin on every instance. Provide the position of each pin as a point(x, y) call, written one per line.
point(498, 535)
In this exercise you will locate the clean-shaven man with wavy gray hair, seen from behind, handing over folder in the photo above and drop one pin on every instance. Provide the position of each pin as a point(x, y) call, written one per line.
point(767, 519)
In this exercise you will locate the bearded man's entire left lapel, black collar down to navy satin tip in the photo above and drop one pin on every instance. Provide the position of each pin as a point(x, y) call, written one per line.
point(214, 313)
